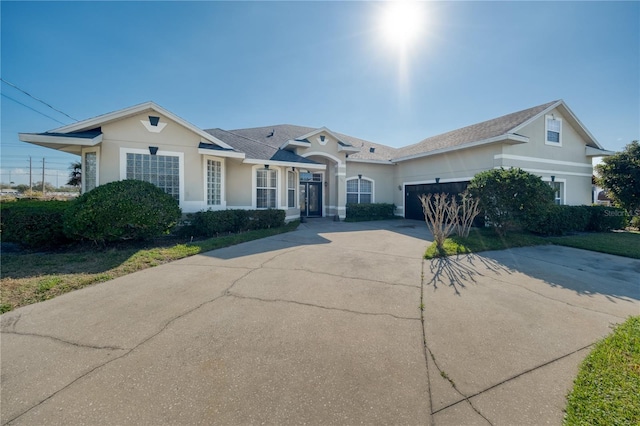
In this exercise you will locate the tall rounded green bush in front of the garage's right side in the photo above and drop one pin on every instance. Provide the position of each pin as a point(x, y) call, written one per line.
point(510, 198)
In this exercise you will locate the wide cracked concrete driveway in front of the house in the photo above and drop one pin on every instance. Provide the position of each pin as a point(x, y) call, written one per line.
point(319, 326)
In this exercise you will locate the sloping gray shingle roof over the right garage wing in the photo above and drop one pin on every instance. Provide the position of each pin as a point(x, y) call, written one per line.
point(476, 132)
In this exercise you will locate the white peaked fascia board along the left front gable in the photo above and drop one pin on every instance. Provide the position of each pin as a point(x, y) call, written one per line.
point(92, 123)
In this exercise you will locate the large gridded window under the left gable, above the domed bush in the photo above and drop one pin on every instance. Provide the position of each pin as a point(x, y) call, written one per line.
point(161, 170)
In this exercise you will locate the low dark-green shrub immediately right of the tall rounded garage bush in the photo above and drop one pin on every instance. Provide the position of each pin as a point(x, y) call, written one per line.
point(560, 220)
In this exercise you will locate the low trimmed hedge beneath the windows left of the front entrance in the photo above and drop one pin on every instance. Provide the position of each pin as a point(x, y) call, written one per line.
point(211, 223)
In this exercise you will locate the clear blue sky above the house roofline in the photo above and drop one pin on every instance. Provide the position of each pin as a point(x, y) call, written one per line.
point(246, 64)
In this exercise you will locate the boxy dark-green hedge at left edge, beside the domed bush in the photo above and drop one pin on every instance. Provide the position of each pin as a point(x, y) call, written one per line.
point(33, 223)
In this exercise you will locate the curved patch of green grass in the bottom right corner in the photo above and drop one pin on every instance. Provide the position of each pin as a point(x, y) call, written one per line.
point(607, 389)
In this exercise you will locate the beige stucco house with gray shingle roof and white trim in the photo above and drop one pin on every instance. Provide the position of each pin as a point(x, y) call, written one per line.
point(315, 172)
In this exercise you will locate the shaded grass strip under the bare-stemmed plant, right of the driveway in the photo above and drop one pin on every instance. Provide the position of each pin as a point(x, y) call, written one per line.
point(482, 239)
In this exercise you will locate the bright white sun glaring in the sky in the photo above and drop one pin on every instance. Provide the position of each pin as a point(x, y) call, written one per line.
point(402, 22)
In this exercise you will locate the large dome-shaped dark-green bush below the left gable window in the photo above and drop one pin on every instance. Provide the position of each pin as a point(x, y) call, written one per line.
point(122, 210)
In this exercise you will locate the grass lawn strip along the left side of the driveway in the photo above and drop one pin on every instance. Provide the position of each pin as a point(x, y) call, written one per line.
point(33, 277)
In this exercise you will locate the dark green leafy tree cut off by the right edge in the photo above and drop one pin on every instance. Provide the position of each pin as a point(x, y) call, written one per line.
point(619, 174)
